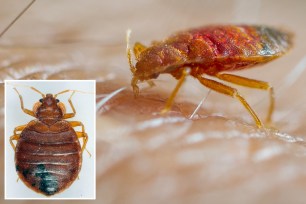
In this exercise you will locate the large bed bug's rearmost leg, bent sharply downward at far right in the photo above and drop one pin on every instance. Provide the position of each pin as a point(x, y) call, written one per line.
point(252, 84)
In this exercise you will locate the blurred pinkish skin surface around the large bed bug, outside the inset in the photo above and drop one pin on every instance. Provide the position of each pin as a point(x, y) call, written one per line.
point(219, 155)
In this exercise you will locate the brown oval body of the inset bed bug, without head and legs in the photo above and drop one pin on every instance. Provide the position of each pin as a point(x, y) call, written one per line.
point(48, 158)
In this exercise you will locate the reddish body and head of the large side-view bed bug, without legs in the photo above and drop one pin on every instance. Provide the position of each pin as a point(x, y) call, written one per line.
point(213, 49)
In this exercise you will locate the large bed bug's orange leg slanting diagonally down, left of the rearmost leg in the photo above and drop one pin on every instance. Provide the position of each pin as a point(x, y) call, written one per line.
point(227, 90)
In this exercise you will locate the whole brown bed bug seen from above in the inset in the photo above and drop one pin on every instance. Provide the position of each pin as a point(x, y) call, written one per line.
point(48, 154)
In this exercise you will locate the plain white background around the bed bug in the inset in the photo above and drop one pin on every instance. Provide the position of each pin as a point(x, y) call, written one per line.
point(84, 104)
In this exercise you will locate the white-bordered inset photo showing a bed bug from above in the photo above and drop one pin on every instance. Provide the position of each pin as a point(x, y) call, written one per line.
point(50, 139)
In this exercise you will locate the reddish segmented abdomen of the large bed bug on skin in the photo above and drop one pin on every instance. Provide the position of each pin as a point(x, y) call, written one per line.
point(230, 47)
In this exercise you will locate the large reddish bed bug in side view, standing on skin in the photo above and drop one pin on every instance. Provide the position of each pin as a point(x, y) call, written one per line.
point(211, 51)
